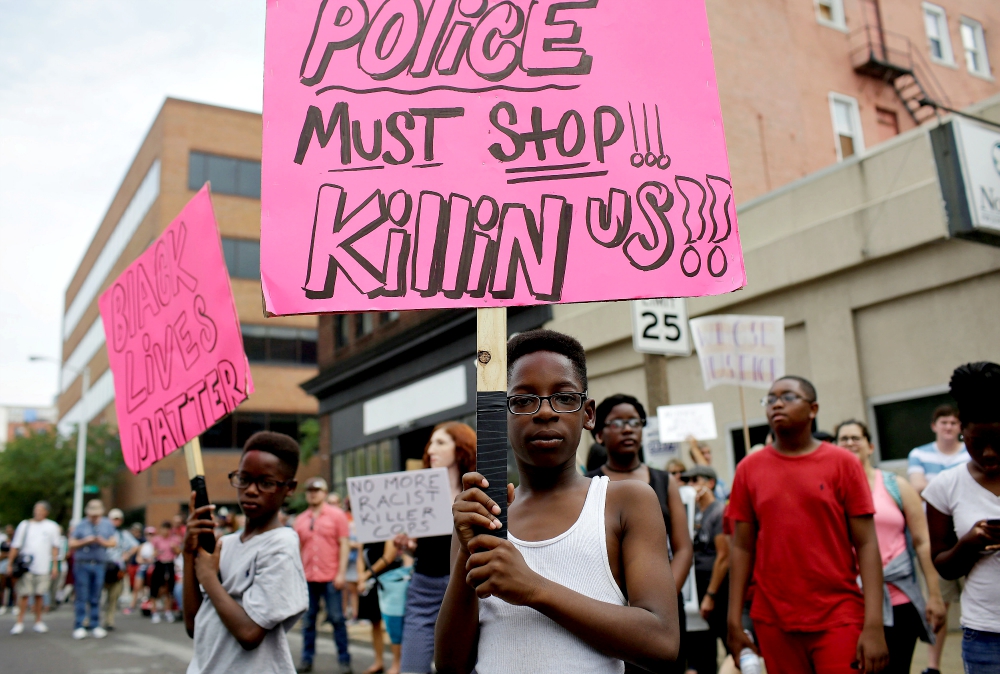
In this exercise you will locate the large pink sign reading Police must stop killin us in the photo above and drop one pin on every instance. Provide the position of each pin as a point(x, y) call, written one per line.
point(470, 153)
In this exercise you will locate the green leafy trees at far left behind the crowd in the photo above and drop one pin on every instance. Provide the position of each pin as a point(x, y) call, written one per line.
point(42, 465)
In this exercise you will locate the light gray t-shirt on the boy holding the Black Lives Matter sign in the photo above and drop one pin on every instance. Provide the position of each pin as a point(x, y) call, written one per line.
point(265, 576)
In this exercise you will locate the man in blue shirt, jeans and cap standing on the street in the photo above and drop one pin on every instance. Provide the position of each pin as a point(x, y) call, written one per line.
point(89, 542)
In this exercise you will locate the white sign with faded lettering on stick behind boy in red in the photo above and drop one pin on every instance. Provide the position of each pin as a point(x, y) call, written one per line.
point(740, 350)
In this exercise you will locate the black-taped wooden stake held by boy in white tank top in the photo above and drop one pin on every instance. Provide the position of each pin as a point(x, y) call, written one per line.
point(491, 405)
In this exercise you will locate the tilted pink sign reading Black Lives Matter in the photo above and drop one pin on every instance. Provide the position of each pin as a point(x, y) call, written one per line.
point(173, 339)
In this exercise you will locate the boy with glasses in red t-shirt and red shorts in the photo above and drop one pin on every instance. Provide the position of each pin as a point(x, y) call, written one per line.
point(803, 514)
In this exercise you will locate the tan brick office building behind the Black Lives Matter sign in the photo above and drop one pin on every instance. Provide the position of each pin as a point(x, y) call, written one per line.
point(188, 144)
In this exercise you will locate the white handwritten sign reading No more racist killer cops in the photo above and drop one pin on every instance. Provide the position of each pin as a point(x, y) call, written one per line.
point(415, 502)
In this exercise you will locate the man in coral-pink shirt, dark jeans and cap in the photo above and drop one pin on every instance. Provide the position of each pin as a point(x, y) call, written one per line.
point(324, 533)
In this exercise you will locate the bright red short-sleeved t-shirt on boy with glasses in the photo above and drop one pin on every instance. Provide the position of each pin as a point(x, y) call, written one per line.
point(805, 569)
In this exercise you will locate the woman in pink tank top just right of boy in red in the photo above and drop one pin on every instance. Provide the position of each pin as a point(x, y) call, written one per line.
point(901, 528)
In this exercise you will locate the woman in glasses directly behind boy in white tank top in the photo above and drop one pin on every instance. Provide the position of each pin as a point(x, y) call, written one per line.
point(619, 423)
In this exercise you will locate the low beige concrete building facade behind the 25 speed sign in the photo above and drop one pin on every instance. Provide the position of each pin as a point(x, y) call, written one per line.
point(880, 301)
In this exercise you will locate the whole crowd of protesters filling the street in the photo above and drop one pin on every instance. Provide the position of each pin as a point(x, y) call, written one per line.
point(815, 560)
